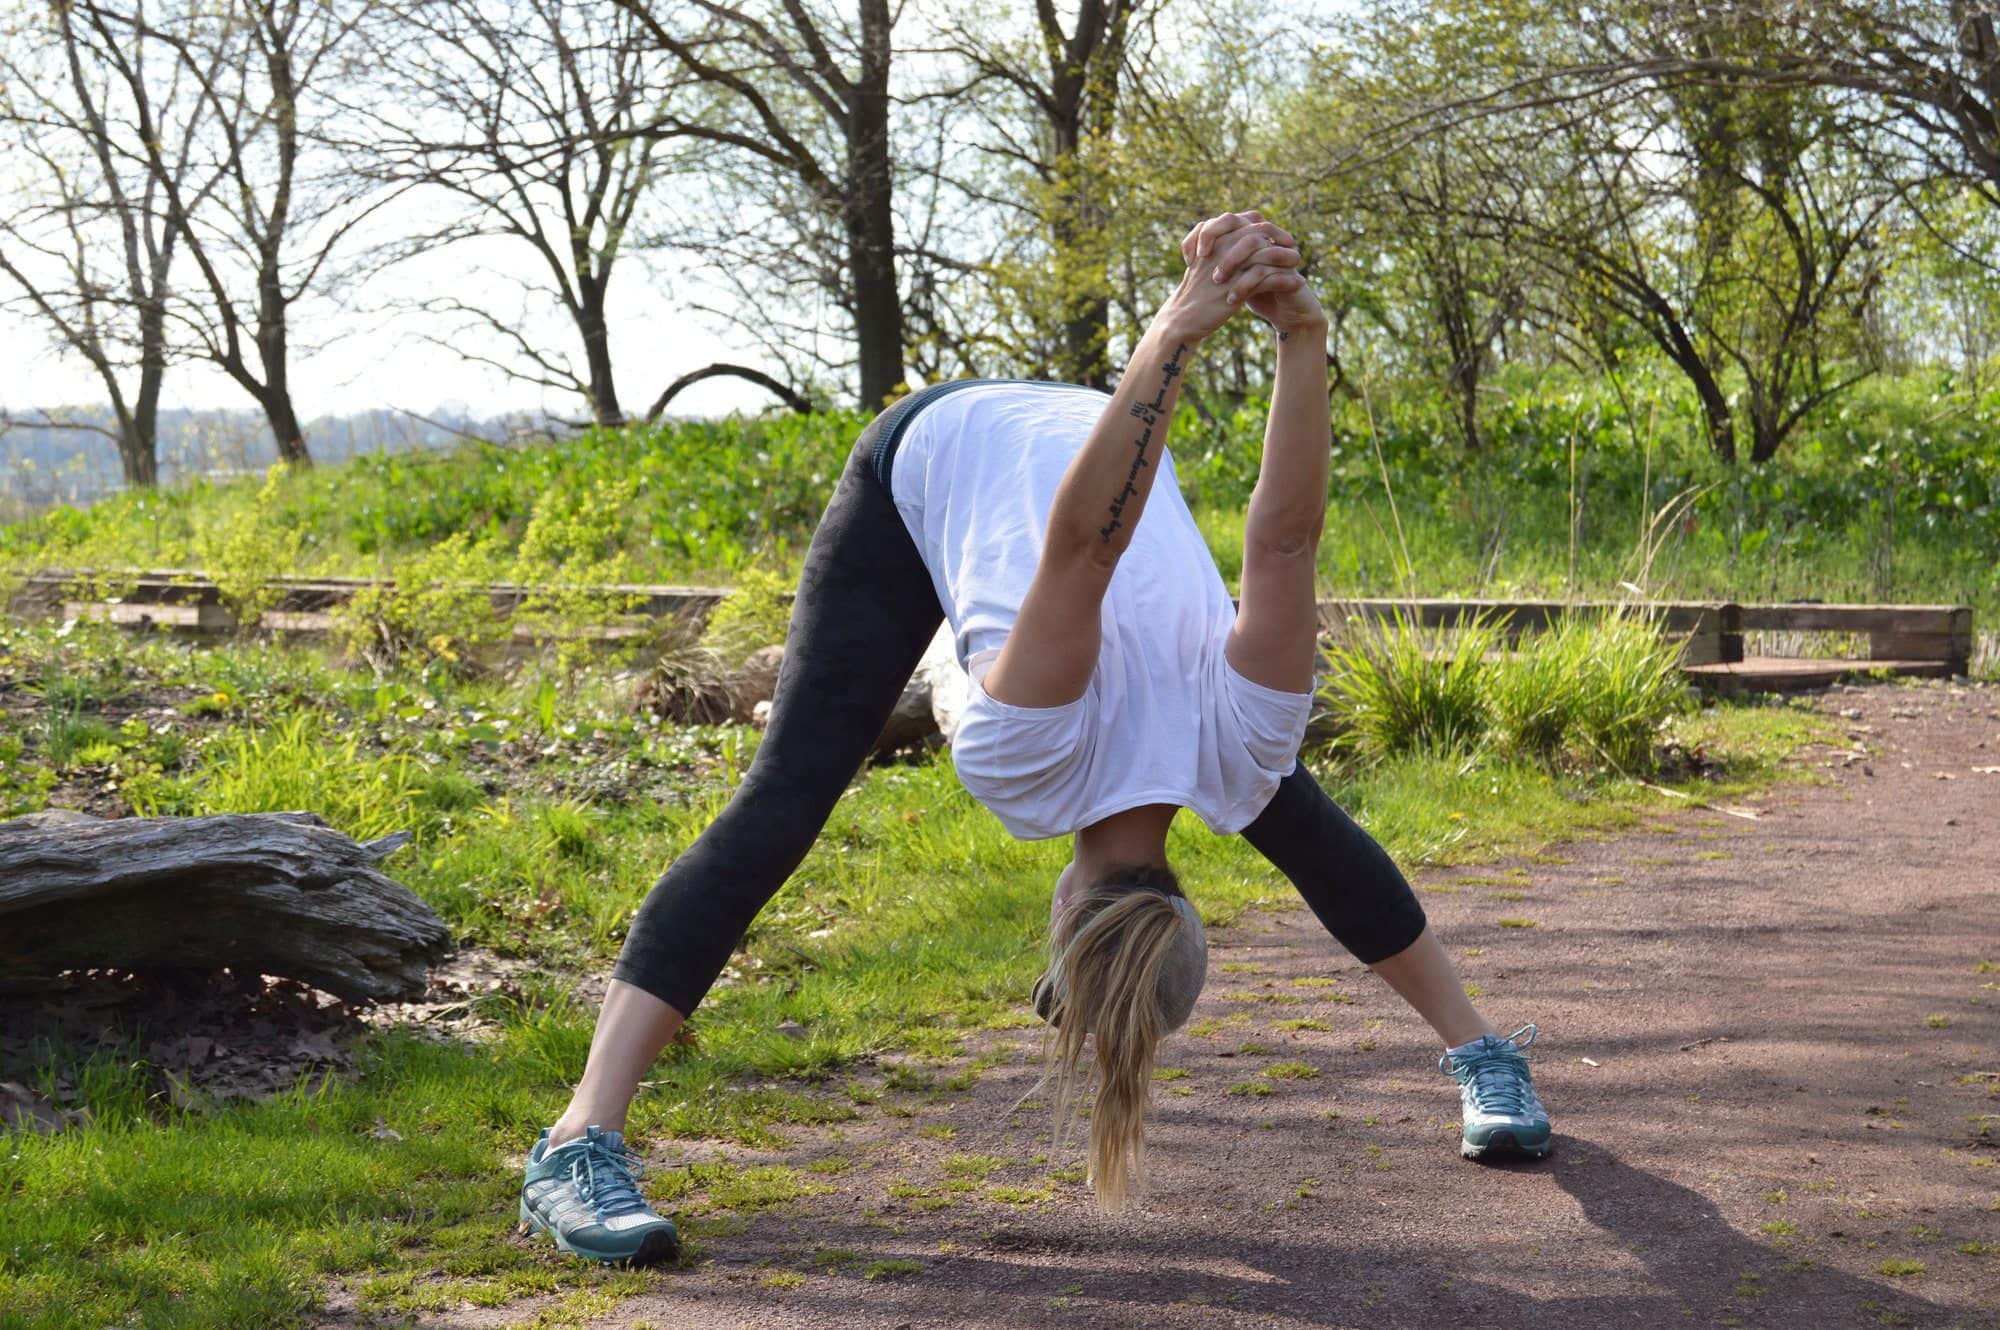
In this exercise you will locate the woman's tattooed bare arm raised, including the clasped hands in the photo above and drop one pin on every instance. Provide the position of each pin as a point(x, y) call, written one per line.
point(1055, 643)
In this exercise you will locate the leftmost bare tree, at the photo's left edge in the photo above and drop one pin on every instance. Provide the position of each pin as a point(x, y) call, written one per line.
point(87, 245)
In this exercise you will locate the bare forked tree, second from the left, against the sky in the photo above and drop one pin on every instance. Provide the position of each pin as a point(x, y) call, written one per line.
point(281, 207)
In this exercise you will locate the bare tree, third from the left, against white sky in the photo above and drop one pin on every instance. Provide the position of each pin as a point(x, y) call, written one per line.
point(539, 123)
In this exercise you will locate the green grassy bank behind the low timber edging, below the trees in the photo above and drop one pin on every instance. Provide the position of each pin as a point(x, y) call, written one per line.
point(1893, 499)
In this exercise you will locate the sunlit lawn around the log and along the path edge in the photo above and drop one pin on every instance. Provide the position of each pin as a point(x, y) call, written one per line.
point(539, 825)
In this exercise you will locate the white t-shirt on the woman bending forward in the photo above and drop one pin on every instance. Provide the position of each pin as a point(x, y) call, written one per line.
point(1165, 719)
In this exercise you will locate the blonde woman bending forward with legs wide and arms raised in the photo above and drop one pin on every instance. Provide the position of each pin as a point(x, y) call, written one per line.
point(1113, 685)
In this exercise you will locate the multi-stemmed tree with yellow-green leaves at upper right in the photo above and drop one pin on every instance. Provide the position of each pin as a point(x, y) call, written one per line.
point(1727, 221)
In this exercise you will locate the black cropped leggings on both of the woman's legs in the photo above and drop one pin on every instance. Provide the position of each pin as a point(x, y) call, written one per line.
point(863, 619)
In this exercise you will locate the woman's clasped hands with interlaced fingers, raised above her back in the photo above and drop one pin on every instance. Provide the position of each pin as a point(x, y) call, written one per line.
point(1239, 261)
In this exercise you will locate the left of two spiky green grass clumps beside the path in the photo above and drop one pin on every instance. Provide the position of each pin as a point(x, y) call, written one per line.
point(1407, 689)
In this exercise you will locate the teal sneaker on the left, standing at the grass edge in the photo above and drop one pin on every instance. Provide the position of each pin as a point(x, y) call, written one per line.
point(585, 1195)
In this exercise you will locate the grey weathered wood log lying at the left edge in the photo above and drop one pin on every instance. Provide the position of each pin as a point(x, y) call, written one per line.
point(277, 893)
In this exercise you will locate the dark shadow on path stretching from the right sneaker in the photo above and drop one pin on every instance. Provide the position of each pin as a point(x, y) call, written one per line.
point(1703, 1265)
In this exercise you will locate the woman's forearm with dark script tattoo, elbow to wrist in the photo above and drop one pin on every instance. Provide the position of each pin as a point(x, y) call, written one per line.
point(1105, 489)
